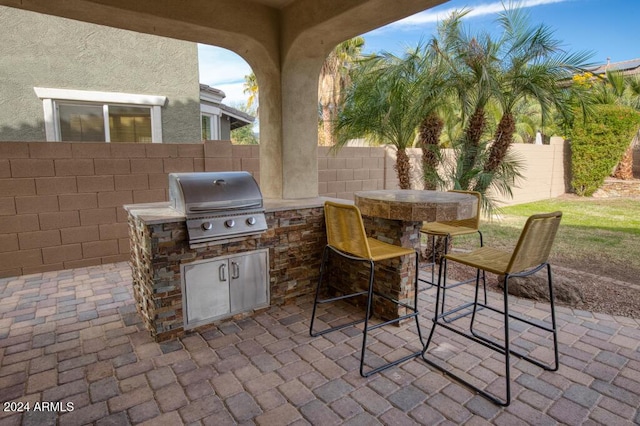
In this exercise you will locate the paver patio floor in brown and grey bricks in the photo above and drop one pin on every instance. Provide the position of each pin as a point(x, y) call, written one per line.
point(74, 338)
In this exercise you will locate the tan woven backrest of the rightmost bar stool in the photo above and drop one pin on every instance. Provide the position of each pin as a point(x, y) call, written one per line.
point(534, 244)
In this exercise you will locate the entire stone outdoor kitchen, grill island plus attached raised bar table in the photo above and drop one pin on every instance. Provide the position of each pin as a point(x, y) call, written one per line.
point(218, 250)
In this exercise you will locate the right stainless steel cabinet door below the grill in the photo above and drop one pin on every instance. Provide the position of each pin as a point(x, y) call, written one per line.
point(249, 282)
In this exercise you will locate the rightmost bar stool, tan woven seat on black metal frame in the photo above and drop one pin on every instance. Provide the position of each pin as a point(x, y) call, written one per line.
point(510, 269)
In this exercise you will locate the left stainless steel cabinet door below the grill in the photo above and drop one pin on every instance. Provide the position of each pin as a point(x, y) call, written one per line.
point(206, 287)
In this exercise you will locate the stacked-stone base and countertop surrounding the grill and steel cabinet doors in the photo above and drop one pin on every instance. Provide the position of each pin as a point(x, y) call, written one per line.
point(159, 246)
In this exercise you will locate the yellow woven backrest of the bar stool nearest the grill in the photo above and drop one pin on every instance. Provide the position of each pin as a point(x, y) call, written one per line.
point(345, 229)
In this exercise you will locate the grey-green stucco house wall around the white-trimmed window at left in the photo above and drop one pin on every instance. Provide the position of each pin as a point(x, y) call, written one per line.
point(46, 51)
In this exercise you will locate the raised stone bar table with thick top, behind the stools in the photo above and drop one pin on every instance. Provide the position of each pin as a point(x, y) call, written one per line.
point(395, 217)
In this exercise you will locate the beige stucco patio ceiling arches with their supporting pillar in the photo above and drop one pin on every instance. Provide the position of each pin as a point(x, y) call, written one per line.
point(285, 43)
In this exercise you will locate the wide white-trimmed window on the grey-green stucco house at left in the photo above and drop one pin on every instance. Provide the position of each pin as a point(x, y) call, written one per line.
point(78, 115)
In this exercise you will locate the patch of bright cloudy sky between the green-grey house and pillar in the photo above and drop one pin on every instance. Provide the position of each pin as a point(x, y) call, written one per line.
point(224, 70)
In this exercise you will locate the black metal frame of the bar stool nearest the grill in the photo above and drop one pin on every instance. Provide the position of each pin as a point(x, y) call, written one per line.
point(369, 293)
